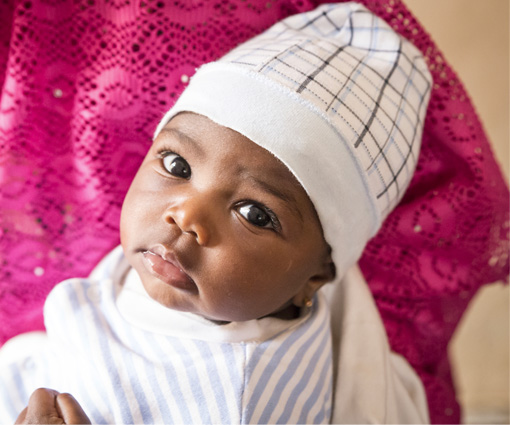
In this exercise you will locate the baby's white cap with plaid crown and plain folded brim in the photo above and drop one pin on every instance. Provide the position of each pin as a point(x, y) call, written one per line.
point(338, 97)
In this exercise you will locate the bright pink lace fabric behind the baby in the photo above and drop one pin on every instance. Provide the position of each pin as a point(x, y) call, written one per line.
point(83, 85)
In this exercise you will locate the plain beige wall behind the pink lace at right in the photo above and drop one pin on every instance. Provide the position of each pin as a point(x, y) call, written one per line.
point(463, 30)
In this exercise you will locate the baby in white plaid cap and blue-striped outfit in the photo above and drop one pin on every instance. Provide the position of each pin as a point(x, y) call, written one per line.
point(263, 183)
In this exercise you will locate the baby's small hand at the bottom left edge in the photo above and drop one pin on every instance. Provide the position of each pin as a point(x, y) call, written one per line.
point(50, 407)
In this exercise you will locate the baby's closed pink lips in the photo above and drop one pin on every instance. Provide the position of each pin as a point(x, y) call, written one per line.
point(163, 265)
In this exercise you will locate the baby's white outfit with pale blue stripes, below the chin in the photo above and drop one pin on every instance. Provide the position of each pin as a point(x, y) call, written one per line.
point(123, 373)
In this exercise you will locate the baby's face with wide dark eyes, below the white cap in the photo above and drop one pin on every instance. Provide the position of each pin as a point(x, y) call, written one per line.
point(216, 225)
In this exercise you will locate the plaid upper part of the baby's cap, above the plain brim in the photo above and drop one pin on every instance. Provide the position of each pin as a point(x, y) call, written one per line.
point(368, 81)
